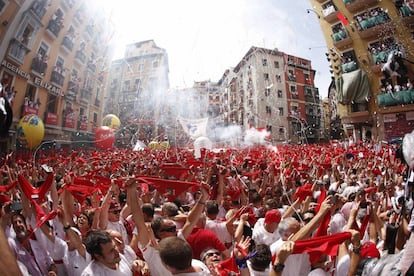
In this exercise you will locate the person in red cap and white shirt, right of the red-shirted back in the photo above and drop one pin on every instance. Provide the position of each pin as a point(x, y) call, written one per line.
point(265, 229)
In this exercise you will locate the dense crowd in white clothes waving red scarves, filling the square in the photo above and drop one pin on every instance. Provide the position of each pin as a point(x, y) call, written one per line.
point(333, 209)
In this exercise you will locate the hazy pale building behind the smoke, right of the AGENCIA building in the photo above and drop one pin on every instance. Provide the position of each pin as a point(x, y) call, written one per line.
point(138, 91)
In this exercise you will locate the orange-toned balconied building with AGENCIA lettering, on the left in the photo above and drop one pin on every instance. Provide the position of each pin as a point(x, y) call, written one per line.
point(54, 55)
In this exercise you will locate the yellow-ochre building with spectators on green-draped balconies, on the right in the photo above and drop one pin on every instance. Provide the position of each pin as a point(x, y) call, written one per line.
point(369, 46)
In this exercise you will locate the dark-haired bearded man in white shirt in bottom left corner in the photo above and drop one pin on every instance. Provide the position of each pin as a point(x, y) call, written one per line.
point(28, 249)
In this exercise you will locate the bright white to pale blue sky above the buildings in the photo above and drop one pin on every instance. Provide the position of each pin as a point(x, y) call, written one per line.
point(204, 38)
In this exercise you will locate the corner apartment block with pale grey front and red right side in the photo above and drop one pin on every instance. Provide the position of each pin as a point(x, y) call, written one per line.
point(275, 91)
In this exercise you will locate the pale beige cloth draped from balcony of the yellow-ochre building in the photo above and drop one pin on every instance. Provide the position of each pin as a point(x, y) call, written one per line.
point(353, 87)
